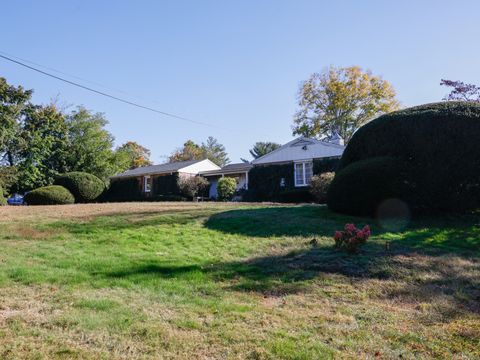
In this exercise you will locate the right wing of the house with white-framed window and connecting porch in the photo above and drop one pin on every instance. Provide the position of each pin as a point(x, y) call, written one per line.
point(286, 170)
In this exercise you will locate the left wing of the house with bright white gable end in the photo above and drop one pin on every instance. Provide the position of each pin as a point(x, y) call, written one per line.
point(155, 181)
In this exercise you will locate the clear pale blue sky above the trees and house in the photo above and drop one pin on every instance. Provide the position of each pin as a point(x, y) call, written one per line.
point(235, 64)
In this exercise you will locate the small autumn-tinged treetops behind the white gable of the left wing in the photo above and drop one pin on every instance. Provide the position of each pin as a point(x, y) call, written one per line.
point(211, 150)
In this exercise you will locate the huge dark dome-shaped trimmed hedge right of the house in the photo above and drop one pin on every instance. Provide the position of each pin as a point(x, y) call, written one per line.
point(434, 149)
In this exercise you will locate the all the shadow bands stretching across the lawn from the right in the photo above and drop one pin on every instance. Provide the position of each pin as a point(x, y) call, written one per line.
point(430, 260)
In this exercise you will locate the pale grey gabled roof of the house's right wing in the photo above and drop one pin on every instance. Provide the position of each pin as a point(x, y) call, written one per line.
point(301, 148)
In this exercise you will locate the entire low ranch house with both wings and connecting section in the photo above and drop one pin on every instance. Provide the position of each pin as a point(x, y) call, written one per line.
point(281, 175)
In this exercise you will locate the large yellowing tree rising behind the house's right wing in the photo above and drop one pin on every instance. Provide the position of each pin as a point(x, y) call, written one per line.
point(338, 101)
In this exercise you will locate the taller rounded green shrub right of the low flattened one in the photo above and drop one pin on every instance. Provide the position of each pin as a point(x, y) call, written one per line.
point(84, 187)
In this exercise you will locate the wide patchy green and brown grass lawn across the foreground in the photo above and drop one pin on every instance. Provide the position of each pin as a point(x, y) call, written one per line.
point(226, 281)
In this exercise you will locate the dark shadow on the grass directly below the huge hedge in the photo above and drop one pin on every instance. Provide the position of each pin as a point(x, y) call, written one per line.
point(436, 235)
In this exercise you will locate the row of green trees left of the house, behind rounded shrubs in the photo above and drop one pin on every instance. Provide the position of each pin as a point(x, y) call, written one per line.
point(39, 142)
